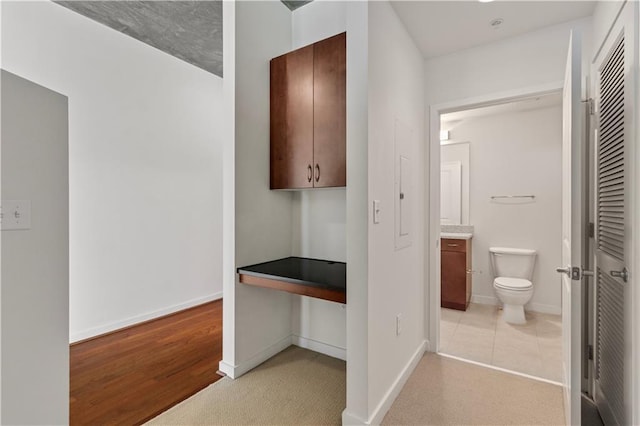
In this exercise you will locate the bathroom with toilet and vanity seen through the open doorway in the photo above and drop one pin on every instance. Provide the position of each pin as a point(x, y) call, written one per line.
point(501, 182)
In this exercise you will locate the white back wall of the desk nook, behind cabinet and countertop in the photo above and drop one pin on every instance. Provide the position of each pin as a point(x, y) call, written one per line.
point(319, 216)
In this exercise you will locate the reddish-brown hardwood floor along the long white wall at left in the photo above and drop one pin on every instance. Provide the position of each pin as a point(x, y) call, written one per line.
point(130, 376)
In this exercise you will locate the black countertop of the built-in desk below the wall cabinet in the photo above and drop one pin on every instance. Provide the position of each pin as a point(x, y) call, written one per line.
point(303, 271)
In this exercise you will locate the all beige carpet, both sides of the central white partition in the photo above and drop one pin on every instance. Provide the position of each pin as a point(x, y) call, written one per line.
point(298, 387)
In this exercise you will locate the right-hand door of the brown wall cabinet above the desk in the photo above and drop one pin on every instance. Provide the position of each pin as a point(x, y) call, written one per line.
point(330, 111)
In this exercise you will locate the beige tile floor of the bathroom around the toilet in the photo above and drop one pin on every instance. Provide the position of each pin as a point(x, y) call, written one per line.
point(480, 334)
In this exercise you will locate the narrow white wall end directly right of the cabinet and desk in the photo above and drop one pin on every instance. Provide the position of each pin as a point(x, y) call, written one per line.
point(357, 410)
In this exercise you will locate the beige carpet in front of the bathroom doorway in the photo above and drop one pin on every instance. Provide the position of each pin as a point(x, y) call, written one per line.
point(444, 391)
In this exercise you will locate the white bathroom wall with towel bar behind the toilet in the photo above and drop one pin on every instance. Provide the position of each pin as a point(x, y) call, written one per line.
point(517, 153)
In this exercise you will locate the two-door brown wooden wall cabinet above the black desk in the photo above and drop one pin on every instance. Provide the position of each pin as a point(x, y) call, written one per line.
point(308, 116)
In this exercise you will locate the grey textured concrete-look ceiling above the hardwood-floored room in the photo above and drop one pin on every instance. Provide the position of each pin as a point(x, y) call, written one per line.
point(189, 30)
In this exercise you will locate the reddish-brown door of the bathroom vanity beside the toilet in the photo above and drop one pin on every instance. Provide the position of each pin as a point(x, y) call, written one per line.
point(453, 279)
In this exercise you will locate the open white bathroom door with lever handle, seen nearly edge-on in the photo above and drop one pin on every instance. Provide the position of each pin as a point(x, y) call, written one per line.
point(574, 197)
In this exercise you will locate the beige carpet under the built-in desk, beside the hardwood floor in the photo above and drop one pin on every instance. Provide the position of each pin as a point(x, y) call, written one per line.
point(296, 387)
